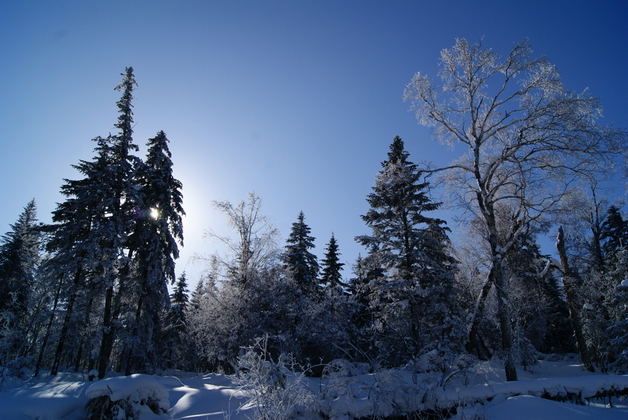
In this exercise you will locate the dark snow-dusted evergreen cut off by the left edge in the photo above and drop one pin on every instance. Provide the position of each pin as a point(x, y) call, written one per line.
point(19, 260)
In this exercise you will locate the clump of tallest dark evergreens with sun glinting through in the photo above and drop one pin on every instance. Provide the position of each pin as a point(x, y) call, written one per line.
point(112, 246)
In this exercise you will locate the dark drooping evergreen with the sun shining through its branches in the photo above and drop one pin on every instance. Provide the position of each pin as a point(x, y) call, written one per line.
point(153, 248)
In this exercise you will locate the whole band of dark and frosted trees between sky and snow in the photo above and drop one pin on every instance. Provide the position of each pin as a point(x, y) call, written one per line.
point(96, 290)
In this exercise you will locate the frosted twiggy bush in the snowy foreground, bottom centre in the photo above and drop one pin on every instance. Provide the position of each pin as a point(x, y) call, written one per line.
point(275, 390)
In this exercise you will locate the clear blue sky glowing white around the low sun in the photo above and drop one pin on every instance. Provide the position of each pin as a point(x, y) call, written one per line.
point(296, 101)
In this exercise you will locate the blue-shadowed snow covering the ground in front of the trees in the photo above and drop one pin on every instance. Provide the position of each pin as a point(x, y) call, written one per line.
point(216, 397)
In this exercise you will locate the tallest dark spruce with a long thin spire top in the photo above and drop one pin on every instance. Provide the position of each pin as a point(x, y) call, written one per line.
point(90, 238)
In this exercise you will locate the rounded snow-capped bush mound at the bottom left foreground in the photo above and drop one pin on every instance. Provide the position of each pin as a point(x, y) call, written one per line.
point(126, 398)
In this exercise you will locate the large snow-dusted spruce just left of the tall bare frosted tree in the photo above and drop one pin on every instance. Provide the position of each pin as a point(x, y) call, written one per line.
point(416, 298)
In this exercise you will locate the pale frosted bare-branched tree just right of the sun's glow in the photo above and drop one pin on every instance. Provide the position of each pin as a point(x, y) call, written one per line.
point(245, 295)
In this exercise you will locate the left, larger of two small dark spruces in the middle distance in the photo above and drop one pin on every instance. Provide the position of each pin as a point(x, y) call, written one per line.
point(300, 262)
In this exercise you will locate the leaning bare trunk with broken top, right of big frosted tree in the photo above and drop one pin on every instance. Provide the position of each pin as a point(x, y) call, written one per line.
point(569, 279)
